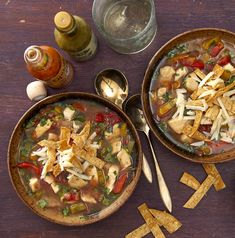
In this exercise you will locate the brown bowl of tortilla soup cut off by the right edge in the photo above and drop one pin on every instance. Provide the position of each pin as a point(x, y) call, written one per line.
point(188, 95)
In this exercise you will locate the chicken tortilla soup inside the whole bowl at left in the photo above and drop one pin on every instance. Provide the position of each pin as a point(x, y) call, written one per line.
point(76, 157)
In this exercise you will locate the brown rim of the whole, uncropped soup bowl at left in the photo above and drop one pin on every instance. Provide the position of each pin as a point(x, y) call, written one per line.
point(18, 186)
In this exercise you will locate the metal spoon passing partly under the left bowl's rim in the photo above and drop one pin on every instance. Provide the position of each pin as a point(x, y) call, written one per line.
point(113, 85)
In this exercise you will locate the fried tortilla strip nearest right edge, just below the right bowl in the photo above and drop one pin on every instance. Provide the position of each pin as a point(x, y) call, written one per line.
point(212, 170)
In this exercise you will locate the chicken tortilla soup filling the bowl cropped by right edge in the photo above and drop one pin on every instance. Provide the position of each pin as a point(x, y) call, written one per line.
point(192, 96)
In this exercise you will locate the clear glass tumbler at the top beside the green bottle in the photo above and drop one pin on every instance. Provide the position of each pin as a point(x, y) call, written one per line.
point(128, 26)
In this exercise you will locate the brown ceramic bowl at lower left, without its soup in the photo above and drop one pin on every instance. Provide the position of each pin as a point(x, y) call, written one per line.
point(51, 215)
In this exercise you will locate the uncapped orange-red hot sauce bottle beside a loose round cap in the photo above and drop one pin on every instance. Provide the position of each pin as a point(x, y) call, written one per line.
point(46, 64)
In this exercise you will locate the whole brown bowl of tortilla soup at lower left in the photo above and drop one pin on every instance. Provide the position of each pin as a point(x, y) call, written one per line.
point(74, 158)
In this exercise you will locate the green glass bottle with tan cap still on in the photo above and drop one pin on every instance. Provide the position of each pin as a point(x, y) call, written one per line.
point(74, 35)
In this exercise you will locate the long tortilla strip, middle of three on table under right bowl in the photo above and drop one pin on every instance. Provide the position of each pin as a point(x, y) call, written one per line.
point(200, 193)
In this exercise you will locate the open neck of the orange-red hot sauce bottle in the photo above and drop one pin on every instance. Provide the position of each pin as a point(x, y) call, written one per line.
point(36, 57)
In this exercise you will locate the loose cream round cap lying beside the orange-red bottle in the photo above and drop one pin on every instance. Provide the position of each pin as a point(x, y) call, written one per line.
point(36, 91)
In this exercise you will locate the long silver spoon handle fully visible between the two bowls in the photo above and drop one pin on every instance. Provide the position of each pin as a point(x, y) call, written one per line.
point(164, 192)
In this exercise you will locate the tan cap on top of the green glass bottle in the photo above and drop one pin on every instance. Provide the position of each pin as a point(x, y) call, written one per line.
point(63, 21)
